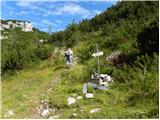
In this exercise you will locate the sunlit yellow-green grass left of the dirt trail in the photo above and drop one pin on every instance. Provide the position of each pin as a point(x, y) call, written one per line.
point(22, 92)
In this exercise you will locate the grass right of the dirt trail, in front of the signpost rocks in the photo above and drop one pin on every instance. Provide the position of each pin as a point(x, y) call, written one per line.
point(113, 103)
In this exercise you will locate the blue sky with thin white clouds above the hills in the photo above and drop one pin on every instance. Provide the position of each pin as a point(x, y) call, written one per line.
point(58, 14)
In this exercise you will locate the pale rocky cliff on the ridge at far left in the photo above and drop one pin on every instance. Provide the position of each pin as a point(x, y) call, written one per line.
point(23, 25)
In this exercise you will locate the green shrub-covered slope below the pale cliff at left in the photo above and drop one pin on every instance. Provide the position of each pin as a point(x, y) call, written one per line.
point(23, 49)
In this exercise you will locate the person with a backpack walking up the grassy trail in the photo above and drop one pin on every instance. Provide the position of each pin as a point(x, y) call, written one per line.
point(69, 57)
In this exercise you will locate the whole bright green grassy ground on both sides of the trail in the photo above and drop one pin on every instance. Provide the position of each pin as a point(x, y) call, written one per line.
point(22, 94)
